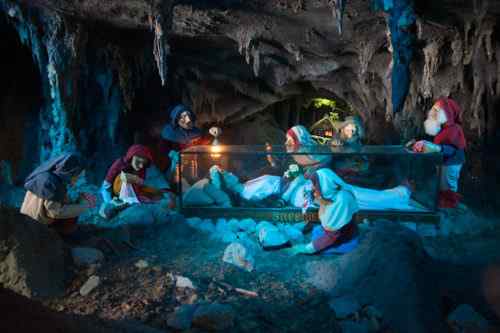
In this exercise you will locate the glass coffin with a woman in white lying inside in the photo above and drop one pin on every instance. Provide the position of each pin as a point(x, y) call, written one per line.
point(245, 181)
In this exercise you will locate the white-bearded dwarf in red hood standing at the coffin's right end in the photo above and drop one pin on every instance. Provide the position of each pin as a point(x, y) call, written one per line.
point(444, 123)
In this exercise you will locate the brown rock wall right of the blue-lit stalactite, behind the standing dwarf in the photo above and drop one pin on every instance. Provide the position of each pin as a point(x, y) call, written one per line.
point(460, 61)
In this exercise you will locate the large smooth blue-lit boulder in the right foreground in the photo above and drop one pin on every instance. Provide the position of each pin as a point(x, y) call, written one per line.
point(390, 270)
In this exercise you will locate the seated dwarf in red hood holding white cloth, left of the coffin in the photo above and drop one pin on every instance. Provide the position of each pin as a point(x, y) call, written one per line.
point(124, 182)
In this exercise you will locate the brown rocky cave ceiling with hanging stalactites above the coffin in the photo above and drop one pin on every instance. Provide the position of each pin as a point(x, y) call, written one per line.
point(236, 58)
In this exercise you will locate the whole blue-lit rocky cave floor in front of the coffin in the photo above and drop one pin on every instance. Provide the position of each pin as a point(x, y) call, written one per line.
point(156, 269)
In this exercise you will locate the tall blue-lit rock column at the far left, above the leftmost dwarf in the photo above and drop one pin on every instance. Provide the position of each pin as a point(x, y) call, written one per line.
point(55, 45)
